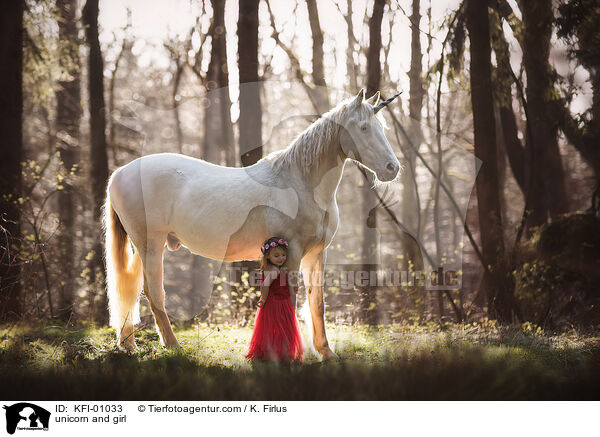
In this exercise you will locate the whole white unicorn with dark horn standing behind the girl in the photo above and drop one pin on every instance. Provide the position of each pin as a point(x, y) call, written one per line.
point(226, 213)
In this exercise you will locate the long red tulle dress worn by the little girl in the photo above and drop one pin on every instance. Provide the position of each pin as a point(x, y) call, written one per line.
point(276, 335)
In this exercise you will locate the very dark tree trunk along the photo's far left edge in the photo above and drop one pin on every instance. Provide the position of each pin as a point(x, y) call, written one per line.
point(11, 155)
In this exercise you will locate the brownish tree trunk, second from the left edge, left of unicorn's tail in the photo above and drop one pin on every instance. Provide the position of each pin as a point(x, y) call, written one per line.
point(68, 116)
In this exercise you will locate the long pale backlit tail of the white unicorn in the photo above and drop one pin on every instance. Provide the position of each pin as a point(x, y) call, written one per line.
point(124, 274)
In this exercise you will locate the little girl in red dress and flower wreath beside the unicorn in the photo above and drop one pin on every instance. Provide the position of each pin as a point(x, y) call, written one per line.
point(276, 333)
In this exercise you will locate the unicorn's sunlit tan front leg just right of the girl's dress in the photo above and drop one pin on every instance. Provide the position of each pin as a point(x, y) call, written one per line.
point(312, 271)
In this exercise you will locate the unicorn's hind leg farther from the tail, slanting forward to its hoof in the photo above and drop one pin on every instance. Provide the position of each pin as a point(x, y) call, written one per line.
point(155, 293)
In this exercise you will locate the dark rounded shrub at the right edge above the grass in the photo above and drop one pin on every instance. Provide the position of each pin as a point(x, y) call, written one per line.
point(556, 282)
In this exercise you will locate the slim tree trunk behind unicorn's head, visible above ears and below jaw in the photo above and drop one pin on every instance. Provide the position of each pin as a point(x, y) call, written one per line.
point(369, 244)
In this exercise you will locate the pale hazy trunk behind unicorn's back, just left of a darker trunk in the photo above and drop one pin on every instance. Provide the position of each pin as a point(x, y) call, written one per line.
point(218, 129)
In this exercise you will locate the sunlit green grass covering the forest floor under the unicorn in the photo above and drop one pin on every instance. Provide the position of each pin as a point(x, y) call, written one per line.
point(394, 362)
